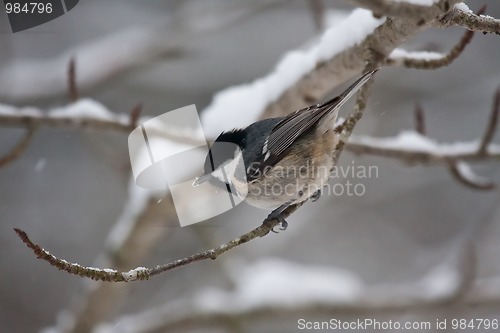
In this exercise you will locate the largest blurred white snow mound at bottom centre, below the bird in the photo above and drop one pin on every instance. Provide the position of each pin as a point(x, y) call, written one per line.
point(276, 282)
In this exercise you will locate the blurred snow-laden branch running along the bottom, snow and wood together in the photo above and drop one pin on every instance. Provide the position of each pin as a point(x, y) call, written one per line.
point(265, 290)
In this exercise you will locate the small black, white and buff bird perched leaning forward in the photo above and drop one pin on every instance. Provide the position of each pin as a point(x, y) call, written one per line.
point(277, 162)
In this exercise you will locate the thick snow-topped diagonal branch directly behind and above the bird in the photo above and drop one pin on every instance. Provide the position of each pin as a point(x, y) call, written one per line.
point(304, 77)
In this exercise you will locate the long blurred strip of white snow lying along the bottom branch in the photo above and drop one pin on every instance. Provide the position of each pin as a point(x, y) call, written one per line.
point(282, 284)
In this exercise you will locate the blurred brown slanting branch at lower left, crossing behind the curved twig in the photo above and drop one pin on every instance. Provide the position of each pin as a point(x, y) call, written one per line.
point(128, 243)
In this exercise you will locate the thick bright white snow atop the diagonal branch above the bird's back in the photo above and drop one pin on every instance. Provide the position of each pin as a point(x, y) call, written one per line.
point(241, 105)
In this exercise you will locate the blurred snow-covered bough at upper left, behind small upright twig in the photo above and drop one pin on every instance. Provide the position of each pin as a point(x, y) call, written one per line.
point(28, 78)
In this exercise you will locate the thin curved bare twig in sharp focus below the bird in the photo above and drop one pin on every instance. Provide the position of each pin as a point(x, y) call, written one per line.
point(142, 273)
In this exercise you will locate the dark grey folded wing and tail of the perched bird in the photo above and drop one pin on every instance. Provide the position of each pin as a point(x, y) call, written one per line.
point(288, 130)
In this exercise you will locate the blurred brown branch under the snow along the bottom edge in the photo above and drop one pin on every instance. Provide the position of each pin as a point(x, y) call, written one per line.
point(369, 303)
